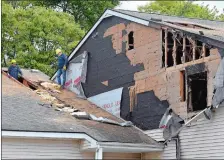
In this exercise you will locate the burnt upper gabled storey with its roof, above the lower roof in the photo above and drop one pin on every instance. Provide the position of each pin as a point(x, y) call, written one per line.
point(140, 64)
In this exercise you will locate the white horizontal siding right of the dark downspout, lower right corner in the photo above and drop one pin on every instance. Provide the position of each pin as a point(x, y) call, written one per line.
point(204, 138)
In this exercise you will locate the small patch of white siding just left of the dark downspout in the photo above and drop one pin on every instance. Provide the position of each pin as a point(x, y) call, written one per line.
point(169, 150)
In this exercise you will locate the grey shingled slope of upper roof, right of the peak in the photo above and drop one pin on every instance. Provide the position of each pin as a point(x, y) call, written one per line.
point(166, 18)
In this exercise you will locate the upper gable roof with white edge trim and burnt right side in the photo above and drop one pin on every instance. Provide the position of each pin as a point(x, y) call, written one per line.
point(216, 37)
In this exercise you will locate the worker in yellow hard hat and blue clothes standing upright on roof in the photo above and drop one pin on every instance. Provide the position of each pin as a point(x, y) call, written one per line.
point(62, 65)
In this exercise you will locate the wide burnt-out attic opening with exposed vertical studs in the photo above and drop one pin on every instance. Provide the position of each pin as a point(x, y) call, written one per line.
point(178, 48)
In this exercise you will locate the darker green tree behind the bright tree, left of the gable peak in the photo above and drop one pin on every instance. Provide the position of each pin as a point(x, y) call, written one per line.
point(85, 12)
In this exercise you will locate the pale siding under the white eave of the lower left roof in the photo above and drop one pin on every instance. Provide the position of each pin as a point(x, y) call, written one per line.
point(15, 148)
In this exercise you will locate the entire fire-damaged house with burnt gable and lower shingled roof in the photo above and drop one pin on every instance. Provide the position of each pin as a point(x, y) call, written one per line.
point(130, 68)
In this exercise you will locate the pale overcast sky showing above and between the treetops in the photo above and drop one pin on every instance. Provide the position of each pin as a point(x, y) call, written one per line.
point(132, 5)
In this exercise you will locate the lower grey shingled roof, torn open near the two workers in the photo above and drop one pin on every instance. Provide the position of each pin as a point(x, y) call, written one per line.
point(21, 112)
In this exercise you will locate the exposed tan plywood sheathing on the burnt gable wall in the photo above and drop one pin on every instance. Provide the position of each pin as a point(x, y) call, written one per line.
point(165, 82)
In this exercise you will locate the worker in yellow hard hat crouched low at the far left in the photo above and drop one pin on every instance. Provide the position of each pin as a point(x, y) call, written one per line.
point(14, 70)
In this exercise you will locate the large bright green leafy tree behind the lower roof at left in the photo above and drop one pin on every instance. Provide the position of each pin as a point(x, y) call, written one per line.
point(31, 35)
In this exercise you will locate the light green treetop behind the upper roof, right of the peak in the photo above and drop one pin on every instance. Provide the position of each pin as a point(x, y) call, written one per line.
point(180, 8)
